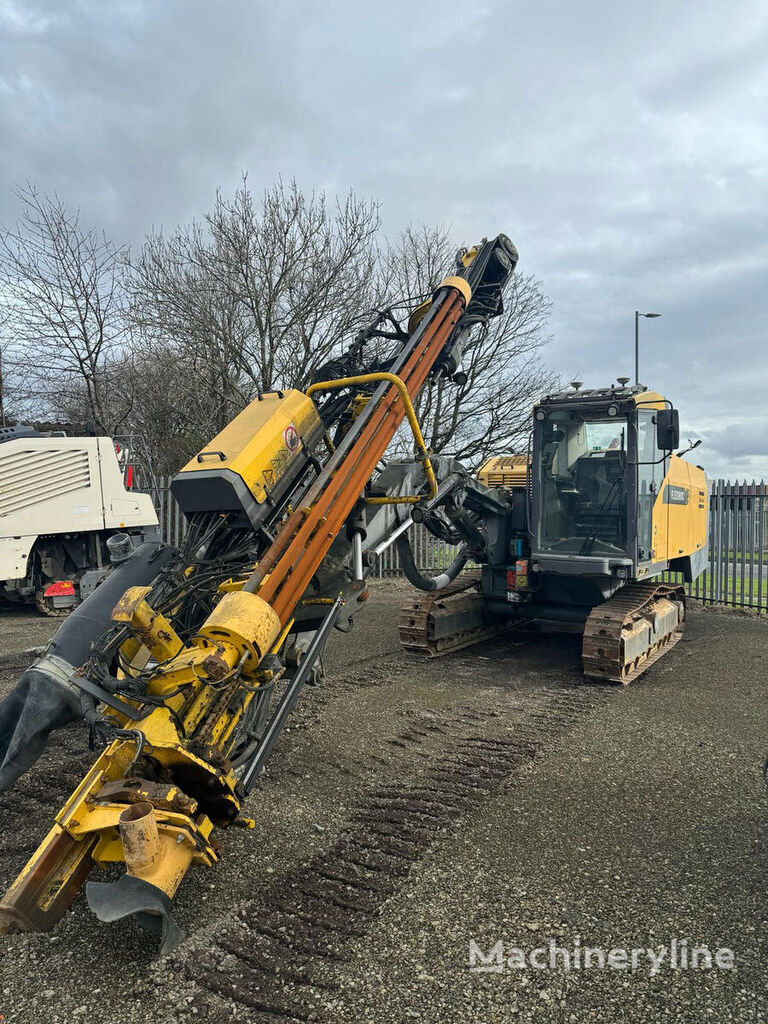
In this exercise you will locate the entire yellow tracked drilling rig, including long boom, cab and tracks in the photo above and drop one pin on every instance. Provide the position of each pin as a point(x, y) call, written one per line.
point(187, 664)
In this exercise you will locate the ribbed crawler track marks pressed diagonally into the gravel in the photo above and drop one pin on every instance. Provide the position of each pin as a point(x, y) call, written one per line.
point(273, 958)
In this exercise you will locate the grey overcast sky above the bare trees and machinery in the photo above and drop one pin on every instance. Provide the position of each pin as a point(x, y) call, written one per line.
point(623, 148)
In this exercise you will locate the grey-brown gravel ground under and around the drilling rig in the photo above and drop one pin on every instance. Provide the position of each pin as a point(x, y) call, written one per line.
point(416, 805)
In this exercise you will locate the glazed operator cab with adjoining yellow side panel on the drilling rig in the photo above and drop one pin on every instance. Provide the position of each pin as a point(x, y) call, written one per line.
point(611, 501)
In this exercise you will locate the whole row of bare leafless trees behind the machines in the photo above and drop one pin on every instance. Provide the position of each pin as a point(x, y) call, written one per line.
point(259, 295)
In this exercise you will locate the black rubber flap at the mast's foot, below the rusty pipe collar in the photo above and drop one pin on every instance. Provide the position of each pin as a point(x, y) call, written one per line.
point(131, 897)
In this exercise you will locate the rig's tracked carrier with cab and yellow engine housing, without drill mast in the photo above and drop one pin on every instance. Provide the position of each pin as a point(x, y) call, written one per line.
point(580, 530)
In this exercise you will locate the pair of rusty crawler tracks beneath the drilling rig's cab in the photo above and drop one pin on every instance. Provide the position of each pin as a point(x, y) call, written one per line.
point(623, 637)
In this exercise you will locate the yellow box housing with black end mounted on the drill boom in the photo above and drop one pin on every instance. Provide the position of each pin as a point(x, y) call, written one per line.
point(251, 462)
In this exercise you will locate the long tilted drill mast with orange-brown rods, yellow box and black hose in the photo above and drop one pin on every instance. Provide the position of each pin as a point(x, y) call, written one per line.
point(176, 659)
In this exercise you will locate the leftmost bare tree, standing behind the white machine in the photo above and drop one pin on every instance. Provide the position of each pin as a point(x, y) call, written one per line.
point(65, 288)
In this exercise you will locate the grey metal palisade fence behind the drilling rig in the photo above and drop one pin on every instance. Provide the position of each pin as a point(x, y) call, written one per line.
point(737, 575)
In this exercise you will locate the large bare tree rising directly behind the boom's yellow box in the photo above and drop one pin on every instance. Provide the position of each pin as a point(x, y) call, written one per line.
point(260, 294)
